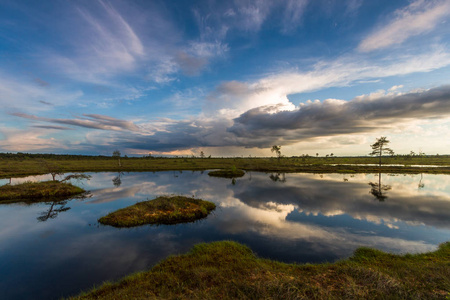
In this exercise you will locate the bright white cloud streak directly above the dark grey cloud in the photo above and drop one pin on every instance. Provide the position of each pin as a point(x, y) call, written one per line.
point(233, 98)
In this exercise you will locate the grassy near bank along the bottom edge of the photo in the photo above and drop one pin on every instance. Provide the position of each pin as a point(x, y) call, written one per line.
point(228, 270)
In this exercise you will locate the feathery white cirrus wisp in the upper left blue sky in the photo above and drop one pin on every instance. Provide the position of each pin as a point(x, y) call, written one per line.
point(104, 44)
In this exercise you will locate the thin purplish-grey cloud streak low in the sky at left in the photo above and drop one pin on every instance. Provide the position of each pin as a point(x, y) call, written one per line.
point(88, 121)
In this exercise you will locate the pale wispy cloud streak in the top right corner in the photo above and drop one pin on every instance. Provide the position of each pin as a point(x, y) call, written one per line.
point(419, 17)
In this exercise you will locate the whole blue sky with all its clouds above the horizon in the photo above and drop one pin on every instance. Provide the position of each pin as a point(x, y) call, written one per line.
point(229, 78)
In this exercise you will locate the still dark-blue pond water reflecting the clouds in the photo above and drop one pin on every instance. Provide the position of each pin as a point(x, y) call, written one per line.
point(50, 250)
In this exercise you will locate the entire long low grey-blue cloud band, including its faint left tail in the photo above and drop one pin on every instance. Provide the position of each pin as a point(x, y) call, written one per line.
point(268, 125)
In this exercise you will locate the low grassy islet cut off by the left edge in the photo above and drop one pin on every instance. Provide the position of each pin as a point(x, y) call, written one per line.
point(38, 191)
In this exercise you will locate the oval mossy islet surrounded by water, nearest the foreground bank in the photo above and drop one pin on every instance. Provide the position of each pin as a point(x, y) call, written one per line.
point(162, 210)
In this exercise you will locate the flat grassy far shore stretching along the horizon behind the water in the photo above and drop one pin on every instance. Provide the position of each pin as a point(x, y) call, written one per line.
point(16, 166)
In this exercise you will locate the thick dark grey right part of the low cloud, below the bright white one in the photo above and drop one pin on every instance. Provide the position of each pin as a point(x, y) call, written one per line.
point(259, 127)
